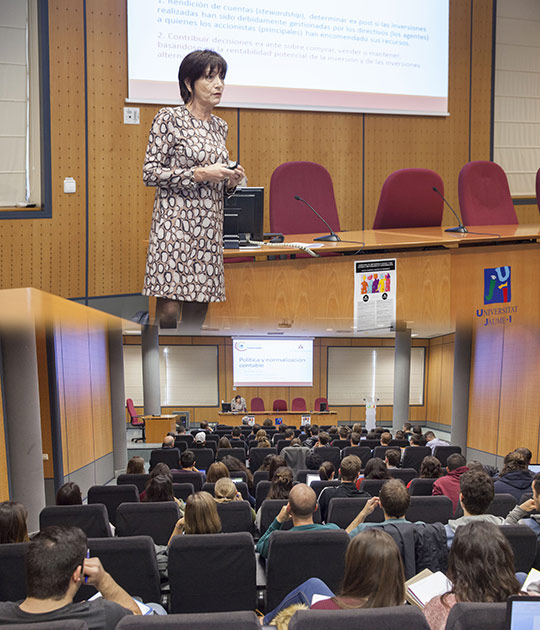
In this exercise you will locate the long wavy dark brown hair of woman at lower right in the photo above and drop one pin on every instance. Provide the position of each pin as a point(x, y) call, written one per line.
point(478, 545)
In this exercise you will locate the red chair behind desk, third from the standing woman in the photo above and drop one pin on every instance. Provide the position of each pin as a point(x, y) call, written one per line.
point(484, 195)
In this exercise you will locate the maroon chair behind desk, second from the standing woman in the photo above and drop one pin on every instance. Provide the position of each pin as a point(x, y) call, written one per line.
point(408, 200)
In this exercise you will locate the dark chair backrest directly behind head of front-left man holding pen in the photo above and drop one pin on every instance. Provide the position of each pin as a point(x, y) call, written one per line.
point(92, 519)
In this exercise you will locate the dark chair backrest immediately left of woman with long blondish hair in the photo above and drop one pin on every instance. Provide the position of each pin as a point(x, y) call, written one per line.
point(147, 519)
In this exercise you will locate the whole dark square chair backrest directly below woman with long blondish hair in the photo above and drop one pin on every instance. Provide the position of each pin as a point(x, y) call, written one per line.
point(221, 573)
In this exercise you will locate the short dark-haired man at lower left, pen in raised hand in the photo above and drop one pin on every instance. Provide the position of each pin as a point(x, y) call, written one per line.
point(55, 567)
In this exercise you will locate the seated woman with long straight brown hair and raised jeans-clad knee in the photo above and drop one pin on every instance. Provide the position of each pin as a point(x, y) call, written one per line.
point(363, 587)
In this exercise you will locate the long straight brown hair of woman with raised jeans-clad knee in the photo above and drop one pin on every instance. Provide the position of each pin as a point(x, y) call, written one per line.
point(376, 588)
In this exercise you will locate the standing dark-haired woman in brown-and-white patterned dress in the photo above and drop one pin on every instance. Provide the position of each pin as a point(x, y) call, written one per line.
point(187, 160)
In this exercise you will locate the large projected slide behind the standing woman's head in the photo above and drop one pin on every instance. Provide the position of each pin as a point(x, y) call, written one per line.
point(387, 56)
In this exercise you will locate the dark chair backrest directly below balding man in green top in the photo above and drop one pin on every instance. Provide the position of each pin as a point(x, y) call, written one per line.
point(293, 557)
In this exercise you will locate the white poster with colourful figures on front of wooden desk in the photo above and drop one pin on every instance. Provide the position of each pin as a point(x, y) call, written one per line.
point(375, 294)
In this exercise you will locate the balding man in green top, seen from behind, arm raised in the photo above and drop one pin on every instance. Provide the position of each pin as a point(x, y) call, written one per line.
point(300, 508)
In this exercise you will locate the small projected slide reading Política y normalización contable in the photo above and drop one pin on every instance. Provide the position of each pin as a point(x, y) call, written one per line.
point(273, 362)
